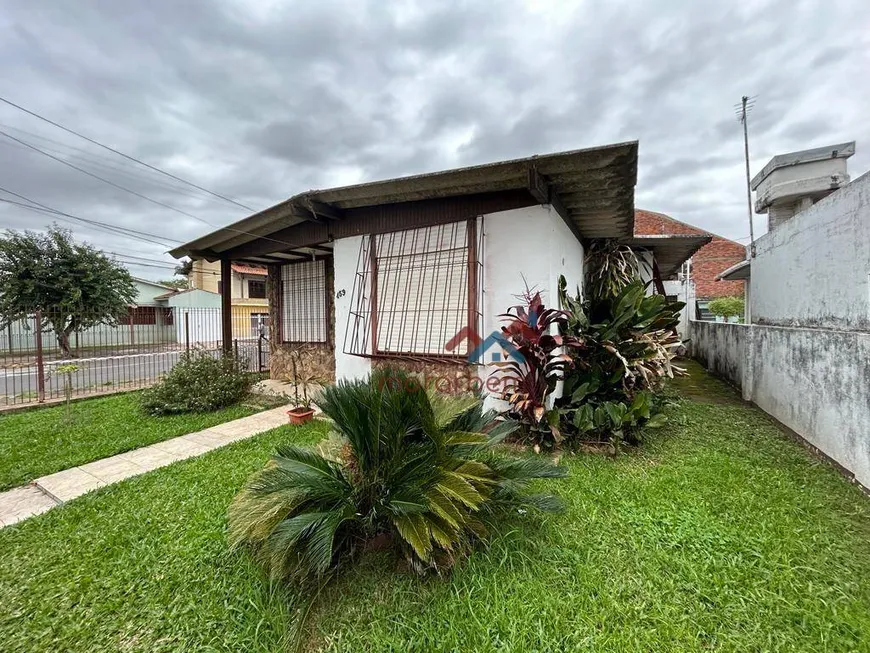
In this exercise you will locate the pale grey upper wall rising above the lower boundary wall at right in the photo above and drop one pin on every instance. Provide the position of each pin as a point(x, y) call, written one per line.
point(814, 269)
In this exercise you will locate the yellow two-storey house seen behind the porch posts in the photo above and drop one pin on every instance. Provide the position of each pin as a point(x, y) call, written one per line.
point(247, 290)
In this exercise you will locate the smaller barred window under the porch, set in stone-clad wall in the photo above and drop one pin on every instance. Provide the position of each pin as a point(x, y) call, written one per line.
point(303, 302)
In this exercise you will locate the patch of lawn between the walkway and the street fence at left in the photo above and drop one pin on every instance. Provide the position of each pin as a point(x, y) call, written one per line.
point(42, 441)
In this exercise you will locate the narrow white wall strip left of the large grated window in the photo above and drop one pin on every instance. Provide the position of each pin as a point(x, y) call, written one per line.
point(345, 259)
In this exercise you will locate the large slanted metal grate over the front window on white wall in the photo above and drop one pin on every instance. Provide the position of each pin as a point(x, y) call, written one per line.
point(415, 291)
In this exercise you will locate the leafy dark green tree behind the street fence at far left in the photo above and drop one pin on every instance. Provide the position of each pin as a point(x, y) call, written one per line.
point(75, 286)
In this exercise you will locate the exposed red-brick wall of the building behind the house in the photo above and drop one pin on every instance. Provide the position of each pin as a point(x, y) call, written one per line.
point(714, 257)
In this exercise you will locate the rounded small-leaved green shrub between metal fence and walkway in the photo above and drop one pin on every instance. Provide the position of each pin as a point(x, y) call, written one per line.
point(199, 382)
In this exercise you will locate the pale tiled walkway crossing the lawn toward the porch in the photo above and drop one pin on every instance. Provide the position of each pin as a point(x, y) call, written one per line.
point(45, 493)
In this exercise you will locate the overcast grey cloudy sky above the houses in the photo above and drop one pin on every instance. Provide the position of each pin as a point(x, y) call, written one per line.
point(261, 100)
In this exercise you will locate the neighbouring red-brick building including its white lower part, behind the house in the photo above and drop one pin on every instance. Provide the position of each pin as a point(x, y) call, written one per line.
point(695, 283)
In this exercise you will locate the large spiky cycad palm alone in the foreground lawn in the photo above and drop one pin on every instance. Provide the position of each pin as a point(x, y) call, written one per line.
point(416, 470)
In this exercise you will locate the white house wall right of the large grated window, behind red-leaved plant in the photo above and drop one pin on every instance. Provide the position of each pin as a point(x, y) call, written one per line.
point(530, 246)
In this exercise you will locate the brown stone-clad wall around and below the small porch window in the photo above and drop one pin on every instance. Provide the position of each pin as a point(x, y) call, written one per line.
point(317, 360)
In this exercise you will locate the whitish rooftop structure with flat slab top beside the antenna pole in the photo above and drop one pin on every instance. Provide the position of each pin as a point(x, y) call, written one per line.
point(792, 182)
